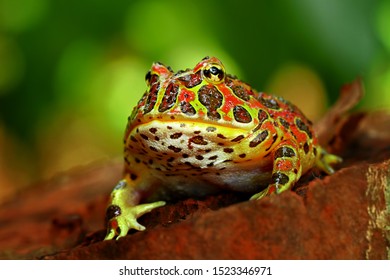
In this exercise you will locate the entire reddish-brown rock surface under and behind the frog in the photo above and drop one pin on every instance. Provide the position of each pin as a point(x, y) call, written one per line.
point(343, 216)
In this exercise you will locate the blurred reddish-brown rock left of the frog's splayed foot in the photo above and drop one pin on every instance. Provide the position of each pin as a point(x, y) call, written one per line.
point(56, 214)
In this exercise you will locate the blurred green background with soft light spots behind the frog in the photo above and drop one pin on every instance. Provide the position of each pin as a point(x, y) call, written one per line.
point(71, 71)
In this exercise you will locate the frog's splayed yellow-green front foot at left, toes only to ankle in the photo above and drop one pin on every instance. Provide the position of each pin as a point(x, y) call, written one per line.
point(125, 218)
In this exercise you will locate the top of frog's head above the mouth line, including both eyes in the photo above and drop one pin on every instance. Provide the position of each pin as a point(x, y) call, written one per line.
point(205, 92)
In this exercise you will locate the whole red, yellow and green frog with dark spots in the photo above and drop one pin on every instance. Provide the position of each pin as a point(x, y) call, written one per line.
point(201, 130)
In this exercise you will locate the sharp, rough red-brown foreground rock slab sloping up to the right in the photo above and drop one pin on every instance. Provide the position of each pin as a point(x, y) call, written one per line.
point(336, 220)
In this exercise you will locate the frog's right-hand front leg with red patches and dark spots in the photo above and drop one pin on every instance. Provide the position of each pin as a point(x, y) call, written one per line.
point(286, 169)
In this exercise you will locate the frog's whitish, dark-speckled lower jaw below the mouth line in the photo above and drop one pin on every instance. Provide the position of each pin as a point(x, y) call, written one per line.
point(179, 146)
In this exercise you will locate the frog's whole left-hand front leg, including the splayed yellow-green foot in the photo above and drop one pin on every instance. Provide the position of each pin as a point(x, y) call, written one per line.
point(123, 209)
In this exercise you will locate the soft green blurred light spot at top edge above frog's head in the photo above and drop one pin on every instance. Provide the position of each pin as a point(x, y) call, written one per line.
point(155, 27)
